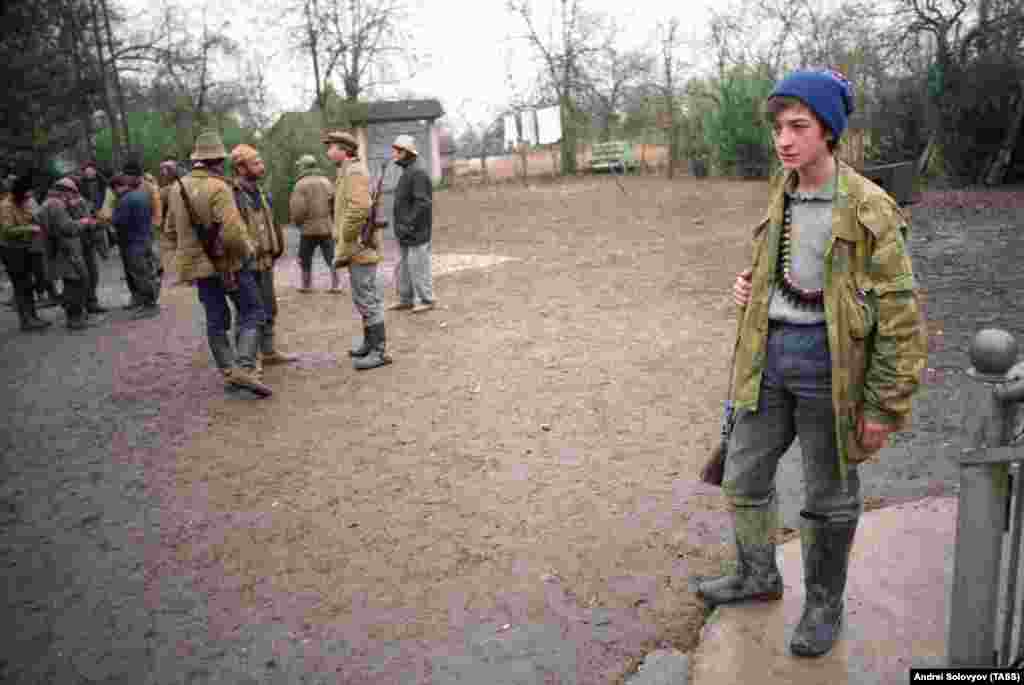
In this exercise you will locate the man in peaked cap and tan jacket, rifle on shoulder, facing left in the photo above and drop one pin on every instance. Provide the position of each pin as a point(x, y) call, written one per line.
point(352, 210)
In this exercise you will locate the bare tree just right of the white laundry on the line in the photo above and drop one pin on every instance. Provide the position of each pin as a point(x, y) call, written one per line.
point(578, 37)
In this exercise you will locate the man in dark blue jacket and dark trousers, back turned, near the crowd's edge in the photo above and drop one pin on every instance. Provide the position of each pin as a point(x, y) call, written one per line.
point(134, 222)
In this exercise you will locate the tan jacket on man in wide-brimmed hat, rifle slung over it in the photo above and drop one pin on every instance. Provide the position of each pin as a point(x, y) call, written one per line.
point(214, 202)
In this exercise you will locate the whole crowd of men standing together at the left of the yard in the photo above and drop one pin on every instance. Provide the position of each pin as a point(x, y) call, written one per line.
point(222, 237)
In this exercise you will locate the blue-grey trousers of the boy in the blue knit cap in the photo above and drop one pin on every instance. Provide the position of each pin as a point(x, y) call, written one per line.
point(795, 402)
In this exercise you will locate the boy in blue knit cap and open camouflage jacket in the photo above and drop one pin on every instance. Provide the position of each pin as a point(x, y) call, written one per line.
point(830, 349)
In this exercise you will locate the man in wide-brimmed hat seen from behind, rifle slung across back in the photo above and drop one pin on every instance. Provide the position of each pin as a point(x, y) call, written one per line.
point(220, 270)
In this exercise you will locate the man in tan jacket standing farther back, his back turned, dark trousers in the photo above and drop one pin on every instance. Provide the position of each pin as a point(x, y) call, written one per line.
point(311, 207)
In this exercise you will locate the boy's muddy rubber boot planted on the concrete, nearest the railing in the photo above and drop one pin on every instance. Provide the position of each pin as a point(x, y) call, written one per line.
point(826, 548)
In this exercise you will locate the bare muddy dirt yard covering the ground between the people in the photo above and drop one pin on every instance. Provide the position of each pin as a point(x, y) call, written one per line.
point(518, 491)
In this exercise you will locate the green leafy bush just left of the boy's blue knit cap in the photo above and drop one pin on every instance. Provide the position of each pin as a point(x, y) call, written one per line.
point(736, 131)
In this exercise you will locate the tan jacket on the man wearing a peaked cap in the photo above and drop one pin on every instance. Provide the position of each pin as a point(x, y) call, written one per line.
point(352, 209)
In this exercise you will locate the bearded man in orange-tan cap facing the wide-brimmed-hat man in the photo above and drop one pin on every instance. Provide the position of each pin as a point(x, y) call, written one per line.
point(266, 235)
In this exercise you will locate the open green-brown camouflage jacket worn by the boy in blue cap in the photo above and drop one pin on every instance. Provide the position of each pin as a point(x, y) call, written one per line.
point(876, 331)
